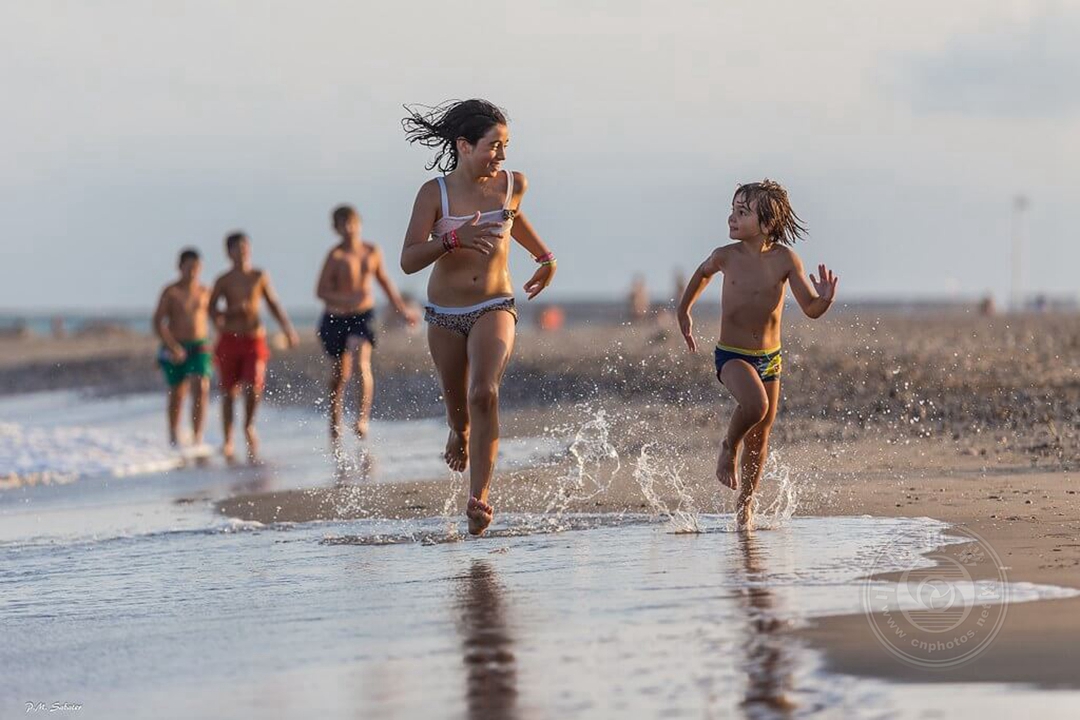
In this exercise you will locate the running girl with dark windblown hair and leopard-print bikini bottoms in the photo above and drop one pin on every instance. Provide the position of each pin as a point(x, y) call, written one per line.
point(463, 224)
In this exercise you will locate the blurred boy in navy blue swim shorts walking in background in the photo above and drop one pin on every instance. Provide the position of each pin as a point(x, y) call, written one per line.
point(347, 327)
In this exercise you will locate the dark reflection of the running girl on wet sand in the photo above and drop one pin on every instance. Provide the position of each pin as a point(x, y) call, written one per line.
point(488, 646)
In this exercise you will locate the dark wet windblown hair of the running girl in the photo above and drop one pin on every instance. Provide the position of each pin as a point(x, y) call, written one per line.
point(442, 126)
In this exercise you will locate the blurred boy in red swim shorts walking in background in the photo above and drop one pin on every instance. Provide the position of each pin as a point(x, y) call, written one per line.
point(242, 351)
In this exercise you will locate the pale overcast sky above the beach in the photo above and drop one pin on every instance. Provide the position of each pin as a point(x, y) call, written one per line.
point(902, 130)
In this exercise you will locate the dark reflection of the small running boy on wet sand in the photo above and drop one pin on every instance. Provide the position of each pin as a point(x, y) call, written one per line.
point(767, 661)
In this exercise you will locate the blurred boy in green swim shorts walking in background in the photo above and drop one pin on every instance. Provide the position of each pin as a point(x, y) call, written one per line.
point(181, 321)
